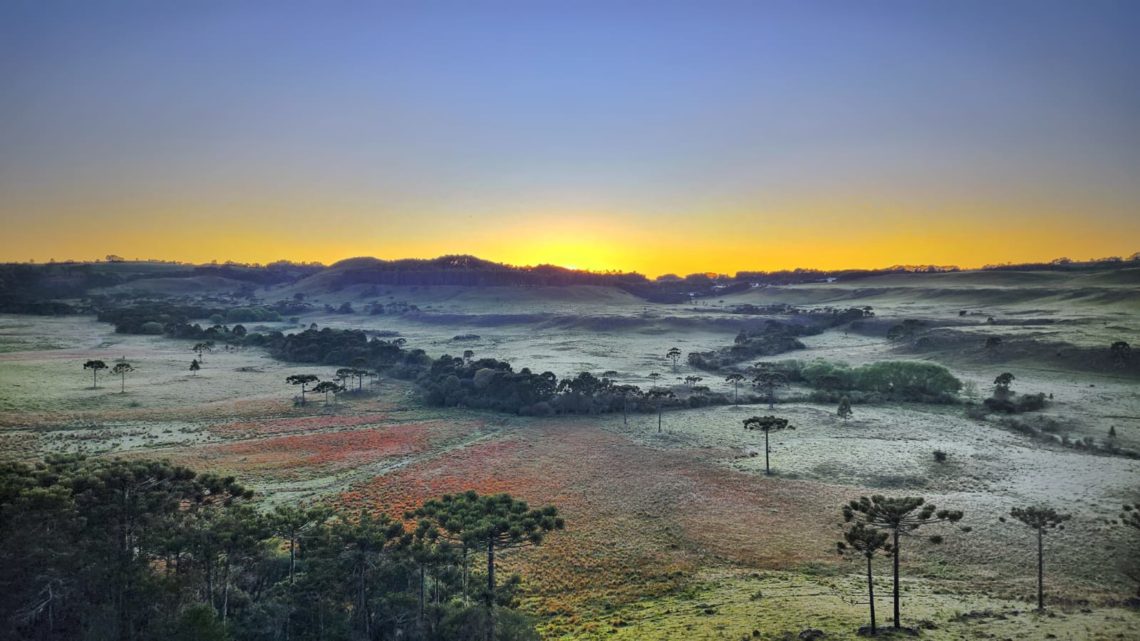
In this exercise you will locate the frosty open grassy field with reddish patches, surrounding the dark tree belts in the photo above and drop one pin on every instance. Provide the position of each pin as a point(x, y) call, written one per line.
point(672, 535)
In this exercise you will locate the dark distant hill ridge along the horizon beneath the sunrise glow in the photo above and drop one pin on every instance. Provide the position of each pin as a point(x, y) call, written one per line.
point(26, 287)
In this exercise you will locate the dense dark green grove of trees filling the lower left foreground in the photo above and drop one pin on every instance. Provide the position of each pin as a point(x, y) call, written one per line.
point(140, 550)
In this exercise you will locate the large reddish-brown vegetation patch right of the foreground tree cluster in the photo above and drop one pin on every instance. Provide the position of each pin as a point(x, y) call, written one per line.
point(639, 520)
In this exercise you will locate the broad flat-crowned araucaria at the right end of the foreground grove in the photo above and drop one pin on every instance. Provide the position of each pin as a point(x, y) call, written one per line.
point(492, 523)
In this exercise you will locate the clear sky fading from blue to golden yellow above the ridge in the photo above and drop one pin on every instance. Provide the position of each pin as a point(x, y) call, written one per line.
point(649, 136)
